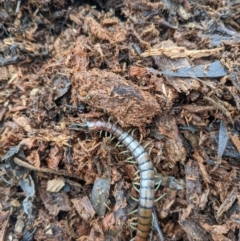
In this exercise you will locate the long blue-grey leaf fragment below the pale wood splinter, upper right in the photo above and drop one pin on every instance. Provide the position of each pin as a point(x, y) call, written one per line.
point(212, 70)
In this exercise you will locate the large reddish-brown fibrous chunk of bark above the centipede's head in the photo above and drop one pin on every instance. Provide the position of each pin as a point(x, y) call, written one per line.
point(113, 94)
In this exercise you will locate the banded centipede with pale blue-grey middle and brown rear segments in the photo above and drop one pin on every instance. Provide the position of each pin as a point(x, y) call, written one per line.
point(147, 182)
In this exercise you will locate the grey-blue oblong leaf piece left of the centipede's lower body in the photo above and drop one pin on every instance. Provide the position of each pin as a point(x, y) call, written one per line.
point(100, 194)
